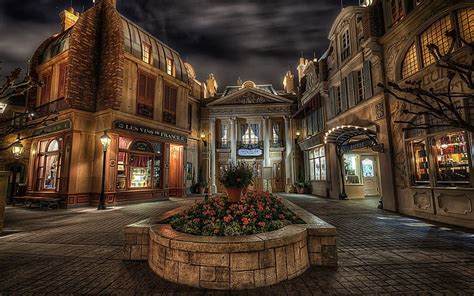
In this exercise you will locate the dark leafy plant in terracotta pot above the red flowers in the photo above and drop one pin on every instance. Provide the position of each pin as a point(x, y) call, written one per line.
point(236, 179)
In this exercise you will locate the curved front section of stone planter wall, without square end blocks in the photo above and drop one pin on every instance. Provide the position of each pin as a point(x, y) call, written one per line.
point(223, 263)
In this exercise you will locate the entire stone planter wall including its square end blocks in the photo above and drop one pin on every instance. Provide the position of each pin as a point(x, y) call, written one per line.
point(239, 262)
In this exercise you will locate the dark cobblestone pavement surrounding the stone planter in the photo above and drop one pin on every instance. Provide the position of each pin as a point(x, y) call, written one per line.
point(78, 251)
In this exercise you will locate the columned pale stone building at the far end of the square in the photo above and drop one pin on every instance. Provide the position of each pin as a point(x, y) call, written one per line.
point(250, 123)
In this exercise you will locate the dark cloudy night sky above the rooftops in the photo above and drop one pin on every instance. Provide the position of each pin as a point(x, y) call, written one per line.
point(256, 40)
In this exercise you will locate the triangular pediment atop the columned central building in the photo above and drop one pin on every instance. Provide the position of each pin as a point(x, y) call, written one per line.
point(248, 96)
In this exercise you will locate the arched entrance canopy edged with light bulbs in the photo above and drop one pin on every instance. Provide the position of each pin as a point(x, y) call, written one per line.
point(349, 137)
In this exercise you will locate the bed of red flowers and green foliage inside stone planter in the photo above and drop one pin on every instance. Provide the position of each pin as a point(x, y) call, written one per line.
point(256, 212)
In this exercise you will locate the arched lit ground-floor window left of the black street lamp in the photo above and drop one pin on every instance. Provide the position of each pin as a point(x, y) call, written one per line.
point(48, 165)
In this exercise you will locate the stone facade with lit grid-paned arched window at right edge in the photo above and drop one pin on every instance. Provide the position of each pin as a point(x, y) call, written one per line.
point(433, 166)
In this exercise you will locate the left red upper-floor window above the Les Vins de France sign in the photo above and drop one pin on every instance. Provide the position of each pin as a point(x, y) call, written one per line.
point(146, 94)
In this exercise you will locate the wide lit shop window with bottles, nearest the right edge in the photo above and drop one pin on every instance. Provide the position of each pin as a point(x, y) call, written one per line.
point(452, 159)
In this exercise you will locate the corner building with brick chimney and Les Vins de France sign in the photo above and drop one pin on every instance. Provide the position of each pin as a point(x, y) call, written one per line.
point(103, 73)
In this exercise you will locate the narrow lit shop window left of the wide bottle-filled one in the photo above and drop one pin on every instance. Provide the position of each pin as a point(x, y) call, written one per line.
point(420, 163)
